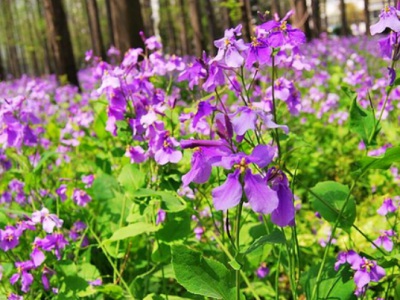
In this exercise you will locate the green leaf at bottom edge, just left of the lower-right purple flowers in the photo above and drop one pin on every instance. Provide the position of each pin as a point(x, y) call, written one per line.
point(333, 285)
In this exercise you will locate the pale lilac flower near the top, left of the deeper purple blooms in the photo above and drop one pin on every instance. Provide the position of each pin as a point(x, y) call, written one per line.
point(229, 48)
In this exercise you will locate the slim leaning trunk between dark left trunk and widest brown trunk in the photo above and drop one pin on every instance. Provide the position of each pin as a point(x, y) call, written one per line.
point(95, 31)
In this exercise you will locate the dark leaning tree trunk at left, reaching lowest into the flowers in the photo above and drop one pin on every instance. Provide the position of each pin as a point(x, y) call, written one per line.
point(59, 37)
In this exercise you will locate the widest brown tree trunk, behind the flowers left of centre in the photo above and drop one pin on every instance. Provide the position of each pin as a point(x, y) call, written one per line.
point(127, 22)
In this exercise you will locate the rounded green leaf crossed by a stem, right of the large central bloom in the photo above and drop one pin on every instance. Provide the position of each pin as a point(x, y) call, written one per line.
point(328, 198)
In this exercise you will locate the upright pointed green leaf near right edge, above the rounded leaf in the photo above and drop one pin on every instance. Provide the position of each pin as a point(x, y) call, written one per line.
point(362, 121)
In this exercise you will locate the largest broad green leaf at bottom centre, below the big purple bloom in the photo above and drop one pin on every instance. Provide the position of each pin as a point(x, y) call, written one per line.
point(201, 276)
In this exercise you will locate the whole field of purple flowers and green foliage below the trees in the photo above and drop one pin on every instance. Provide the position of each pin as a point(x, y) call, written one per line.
point(267, 171)
